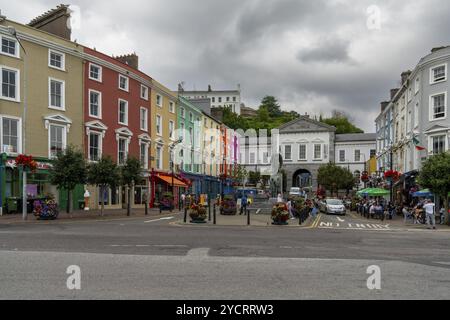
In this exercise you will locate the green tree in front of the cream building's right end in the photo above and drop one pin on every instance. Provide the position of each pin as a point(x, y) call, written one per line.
point(67, 171)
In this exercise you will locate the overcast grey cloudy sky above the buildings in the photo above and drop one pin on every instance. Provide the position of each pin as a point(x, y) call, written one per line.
point(313, 56)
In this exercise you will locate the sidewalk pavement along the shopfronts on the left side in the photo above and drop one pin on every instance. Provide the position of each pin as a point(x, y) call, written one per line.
point(81, 215)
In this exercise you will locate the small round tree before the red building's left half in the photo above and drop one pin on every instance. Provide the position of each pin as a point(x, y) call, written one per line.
point(103, 174)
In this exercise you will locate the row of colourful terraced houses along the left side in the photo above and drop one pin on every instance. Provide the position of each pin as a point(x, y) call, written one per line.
point(56, 92)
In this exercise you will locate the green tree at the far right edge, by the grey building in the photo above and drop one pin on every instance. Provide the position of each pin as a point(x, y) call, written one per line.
point(435, 175)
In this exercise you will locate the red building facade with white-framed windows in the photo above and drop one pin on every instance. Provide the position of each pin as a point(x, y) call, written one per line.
point(117, 120)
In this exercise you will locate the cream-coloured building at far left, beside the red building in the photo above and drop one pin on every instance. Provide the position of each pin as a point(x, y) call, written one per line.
point(40, 103)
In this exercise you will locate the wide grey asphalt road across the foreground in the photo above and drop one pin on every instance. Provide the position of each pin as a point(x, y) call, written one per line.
point(142, 258)
